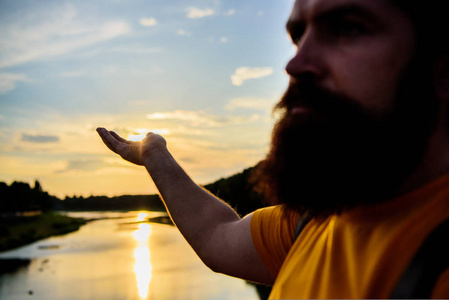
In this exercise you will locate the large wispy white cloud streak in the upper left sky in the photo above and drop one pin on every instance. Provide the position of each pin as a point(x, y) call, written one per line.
point(46, 34)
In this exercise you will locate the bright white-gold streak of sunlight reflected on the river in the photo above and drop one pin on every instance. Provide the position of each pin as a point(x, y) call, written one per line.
point(142, 266)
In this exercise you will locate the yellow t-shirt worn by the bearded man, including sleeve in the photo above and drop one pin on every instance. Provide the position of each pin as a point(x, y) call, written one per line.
point(361, 253)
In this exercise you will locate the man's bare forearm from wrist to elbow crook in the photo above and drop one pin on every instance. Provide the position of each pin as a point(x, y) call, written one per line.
point(195, 211)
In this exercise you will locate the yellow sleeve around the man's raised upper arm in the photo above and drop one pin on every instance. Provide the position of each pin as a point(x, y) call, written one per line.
point(273, 232)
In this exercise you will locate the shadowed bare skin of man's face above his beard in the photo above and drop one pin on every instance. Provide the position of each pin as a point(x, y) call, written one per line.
point(355, 48)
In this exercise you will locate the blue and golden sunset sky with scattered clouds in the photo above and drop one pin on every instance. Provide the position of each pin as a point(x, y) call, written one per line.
point(203, 73)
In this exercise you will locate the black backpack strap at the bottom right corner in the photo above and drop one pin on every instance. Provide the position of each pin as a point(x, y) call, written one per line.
point(431, 260)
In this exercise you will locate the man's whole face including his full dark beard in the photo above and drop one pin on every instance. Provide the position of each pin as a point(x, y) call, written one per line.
point(357, 115)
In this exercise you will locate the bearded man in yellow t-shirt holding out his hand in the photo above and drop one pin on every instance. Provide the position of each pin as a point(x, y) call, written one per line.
point(358, 166)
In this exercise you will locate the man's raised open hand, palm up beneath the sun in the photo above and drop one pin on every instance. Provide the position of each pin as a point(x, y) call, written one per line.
point(134, 152)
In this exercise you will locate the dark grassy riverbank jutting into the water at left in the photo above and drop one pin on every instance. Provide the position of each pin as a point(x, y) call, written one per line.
point(16, 232)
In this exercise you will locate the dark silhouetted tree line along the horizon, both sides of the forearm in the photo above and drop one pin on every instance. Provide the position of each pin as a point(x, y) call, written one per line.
point(237, 190)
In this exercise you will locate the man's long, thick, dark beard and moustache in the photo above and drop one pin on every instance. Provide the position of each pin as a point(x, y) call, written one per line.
point(340, 155)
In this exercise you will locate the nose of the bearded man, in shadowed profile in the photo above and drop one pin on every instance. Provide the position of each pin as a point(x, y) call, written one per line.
point(308, 60)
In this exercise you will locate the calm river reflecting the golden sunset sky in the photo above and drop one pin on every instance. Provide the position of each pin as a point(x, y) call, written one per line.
point(117, 257)
